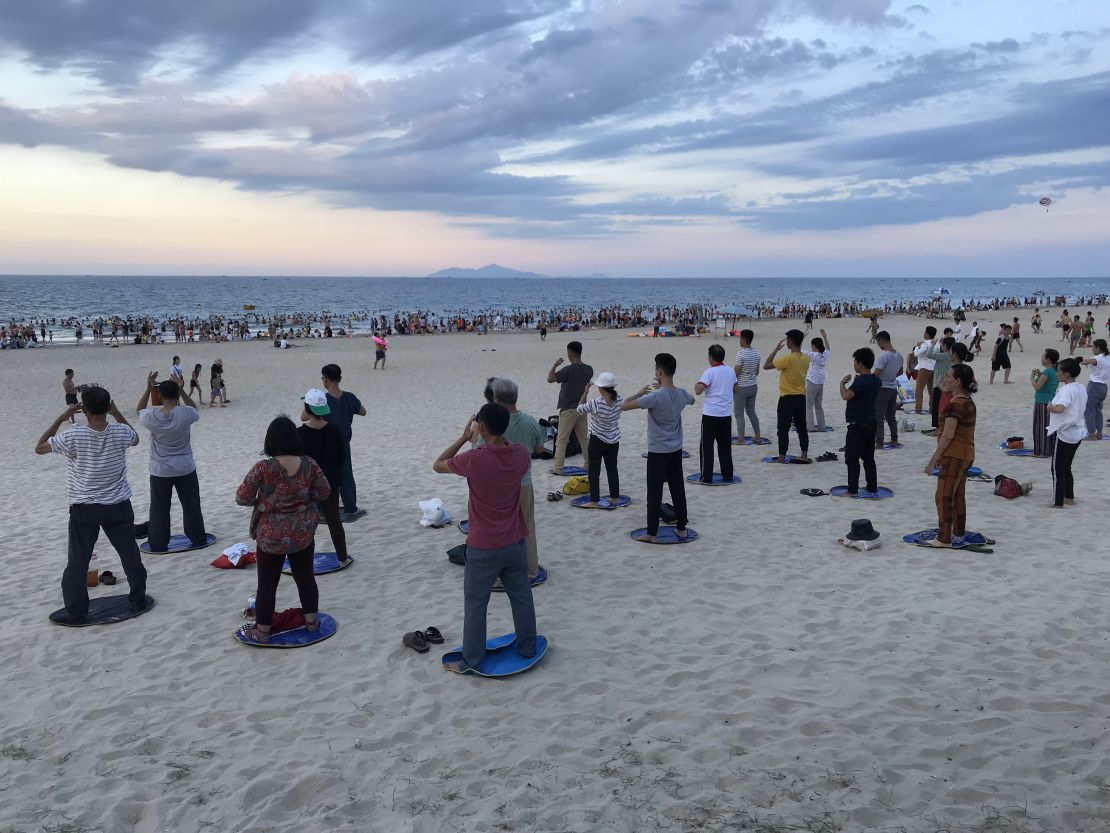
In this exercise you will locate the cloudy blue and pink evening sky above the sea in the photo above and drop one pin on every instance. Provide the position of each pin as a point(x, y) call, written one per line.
point(640, 138)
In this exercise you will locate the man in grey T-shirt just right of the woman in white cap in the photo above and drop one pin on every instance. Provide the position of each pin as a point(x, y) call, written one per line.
point(664, 404)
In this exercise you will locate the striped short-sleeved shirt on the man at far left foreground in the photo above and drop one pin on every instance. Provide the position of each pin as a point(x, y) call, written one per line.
point(97, 463)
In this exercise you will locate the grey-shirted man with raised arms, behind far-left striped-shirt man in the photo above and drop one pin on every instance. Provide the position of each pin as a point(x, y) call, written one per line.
point(171, 465)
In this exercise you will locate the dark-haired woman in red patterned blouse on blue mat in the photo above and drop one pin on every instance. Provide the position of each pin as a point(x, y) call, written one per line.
point(285, 490)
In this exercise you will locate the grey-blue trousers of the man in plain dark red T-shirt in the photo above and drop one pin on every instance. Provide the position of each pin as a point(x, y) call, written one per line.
point(483, 568)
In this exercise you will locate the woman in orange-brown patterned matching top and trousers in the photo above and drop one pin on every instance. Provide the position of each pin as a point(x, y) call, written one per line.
point(954, 456)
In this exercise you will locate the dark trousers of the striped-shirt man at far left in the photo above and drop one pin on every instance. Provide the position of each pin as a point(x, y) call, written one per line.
point(87, 520)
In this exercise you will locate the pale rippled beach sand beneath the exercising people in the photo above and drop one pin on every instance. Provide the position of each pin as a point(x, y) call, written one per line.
point(764, 678)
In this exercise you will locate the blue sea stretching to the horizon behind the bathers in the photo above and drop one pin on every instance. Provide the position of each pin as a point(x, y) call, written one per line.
point(26, 298)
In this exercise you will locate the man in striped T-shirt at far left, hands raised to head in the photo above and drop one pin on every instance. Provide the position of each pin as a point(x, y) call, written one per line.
point(99, 496)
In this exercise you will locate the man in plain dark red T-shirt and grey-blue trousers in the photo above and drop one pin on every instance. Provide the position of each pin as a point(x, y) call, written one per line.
point(497, 545)
